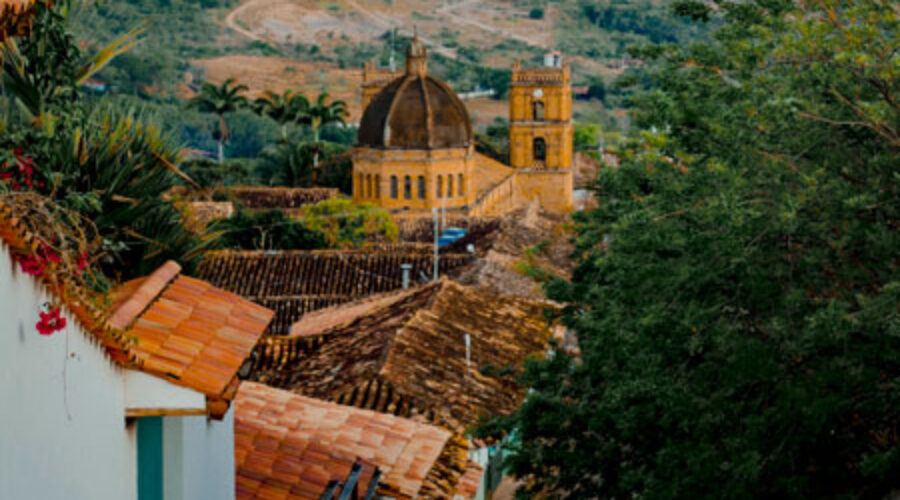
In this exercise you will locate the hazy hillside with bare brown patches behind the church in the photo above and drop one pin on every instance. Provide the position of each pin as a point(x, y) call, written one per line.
point(316, 45)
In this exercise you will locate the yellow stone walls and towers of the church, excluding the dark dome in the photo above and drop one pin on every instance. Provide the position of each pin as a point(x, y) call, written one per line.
point(411, 180)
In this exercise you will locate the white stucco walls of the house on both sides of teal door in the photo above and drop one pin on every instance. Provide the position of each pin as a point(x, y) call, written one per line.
point(63, 432)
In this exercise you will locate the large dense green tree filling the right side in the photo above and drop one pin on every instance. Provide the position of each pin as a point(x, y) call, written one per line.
point(736, 298)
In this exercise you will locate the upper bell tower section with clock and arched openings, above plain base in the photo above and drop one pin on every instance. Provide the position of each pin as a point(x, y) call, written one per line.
point(541, 133)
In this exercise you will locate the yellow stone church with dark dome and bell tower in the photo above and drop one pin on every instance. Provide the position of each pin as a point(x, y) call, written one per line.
point(416, 151)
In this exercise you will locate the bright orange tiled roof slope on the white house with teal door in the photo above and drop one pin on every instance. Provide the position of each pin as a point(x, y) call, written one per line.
point(188, 331)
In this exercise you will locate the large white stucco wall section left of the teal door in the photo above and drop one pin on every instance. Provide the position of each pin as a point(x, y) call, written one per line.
point(62, 423)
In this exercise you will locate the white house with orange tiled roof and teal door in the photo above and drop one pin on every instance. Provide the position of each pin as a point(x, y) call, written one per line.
point(126, 400)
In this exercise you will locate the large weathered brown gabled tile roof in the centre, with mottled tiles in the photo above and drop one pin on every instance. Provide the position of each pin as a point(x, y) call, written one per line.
point(408, 356)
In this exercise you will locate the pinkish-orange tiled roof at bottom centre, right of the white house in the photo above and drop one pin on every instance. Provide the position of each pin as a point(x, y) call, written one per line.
point(289, 446)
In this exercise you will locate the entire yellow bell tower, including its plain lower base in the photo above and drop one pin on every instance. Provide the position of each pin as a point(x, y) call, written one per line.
point(541, 133)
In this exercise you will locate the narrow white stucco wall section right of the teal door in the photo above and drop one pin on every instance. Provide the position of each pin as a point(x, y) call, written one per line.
point(199, 458)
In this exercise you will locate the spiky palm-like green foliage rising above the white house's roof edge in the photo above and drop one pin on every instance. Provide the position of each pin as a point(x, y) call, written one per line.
point(104, 162)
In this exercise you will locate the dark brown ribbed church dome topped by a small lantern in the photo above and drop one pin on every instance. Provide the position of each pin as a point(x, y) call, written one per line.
point(416, 111)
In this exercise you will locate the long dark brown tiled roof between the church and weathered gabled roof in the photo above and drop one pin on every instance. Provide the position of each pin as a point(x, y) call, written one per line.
point(294, 283)
